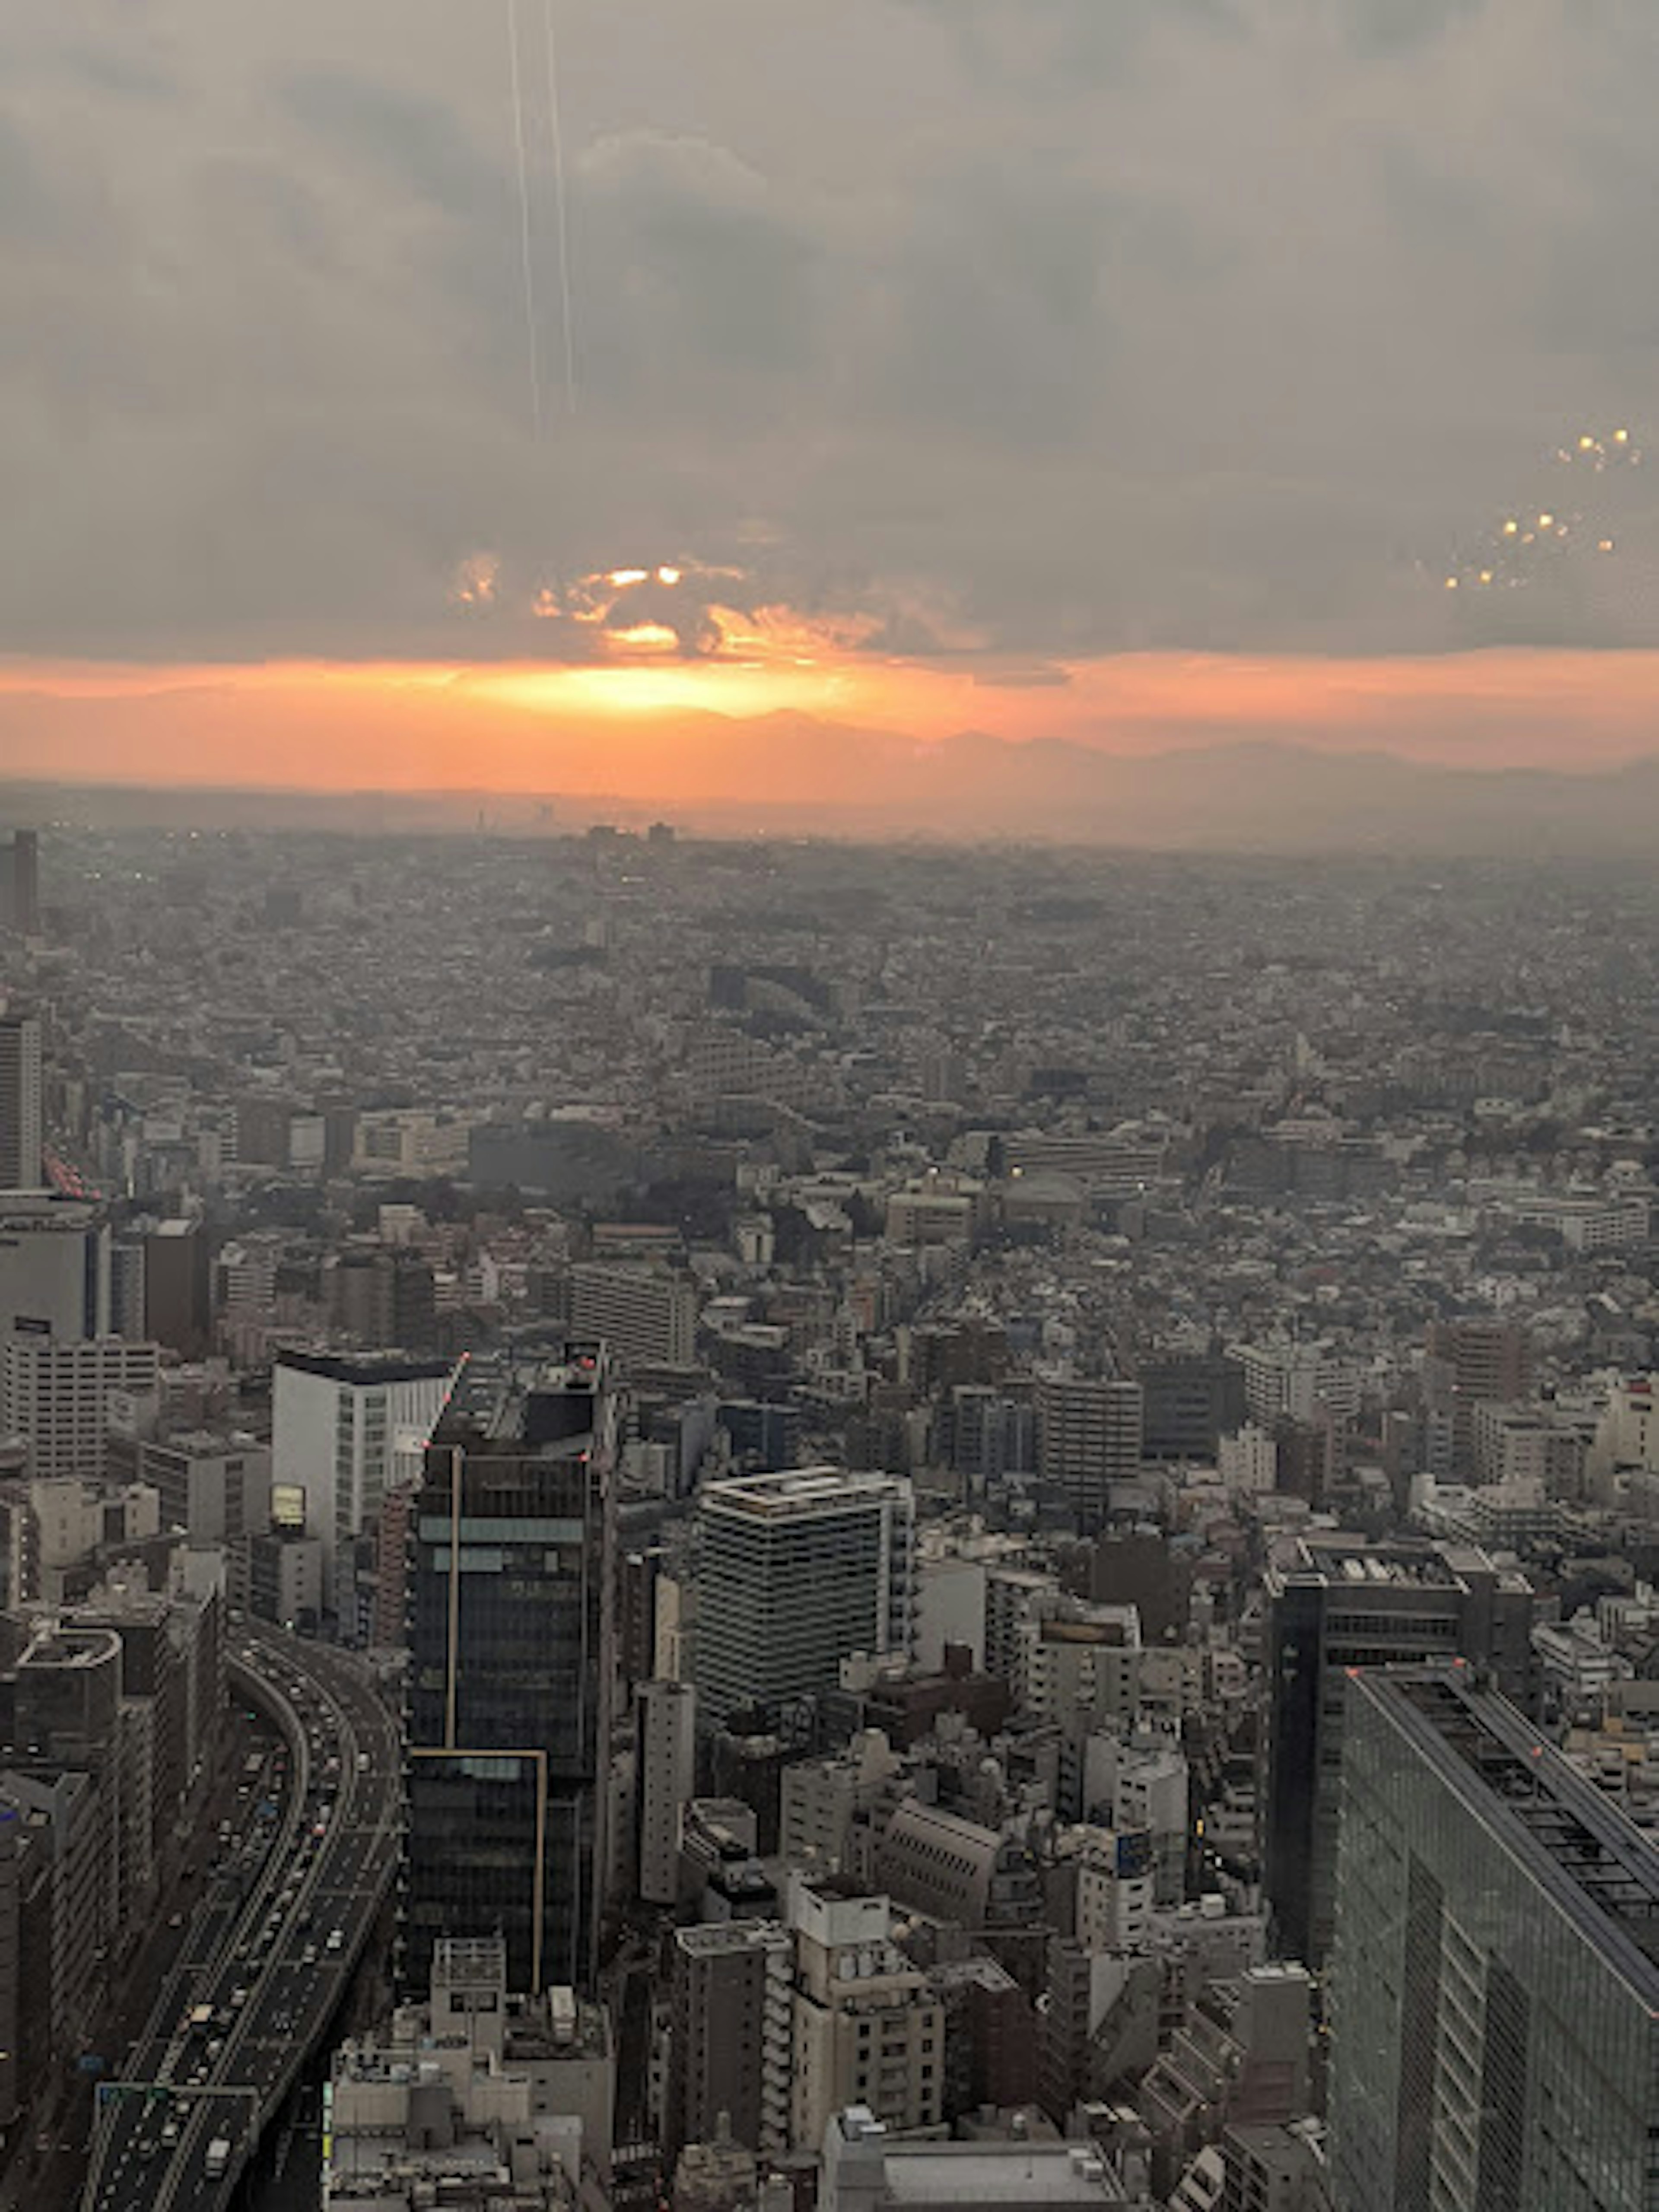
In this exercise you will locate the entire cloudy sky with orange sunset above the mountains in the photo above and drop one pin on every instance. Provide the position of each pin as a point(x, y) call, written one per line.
point(1127, 373)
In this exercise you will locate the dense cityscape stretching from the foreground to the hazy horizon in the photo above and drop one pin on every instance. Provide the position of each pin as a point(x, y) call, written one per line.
point(853, 1527)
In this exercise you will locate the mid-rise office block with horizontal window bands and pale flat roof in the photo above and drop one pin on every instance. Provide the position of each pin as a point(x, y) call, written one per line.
point(797, 1574)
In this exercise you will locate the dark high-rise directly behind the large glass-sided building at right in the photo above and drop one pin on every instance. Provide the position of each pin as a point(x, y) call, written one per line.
point(1333, 1607)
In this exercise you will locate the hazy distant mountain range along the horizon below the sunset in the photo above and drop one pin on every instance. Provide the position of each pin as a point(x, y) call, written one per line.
point(797, 778)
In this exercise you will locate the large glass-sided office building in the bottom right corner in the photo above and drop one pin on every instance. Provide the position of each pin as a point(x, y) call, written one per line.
point(1496, 1968)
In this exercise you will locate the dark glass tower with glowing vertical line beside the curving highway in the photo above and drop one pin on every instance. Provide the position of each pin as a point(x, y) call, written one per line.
point(512, 1669)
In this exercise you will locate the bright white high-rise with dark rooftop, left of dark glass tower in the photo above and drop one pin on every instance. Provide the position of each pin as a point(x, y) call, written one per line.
point(346, 1430)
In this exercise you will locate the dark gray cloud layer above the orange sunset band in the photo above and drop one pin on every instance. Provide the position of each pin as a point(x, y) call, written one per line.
point(1076, 324)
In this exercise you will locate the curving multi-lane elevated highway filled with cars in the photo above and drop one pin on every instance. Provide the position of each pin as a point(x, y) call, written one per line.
point(264, 1968)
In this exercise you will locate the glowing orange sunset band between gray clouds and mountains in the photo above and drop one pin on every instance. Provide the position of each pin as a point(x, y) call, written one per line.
point(649, 724)
